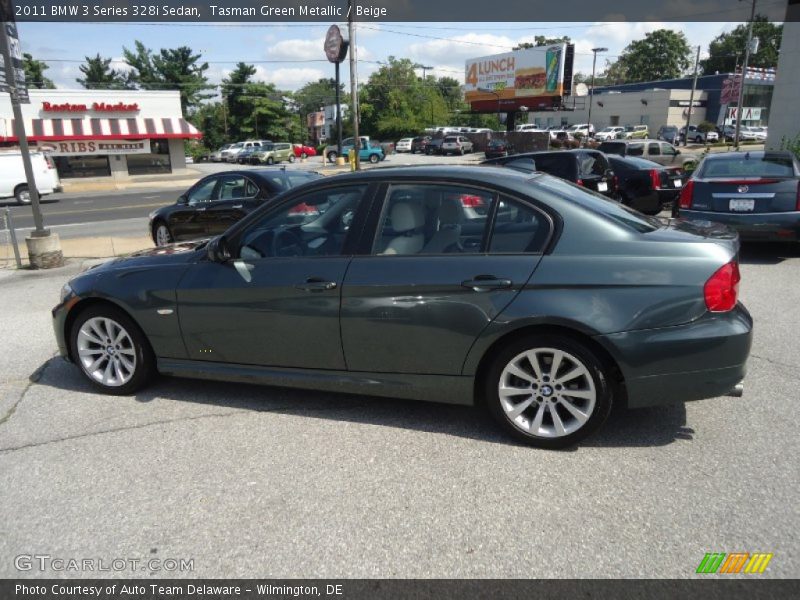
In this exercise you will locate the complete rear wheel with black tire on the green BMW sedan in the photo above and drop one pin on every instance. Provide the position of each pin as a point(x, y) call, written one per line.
point(548, 399)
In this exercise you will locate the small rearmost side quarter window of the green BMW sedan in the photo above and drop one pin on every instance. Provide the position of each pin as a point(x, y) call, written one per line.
point(518, 228)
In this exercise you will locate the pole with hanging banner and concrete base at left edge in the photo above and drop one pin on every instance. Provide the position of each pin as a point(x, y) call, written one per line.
point(44, 250)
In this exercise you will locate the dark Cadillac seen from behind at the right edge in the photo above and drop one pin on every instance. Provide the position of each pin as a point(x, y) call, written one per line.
point(757, 193)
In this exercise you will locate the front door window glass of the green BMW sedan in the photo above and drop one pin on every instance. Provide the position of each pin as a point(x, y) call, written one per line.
point(315, 224)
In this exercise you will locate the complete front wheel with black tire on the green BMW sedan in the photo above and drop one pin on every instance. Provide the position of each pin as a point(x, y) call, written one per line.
point(118, 369)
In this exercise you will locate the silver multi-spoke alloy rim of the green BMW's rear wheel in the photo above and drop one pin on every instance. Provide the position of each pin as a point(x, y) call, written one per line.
point(547, 392)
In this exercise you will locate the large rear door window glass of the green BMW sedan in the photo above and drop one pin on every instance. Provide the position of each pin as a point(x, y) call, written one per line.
point(433, 219)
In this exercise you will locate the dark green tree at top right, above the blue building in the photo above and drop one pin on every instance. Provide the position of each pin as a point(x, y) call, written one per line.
point(726, 51)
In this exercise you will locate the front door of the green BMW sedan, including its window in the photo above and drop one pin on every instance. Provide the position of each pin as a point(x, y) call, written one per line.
point(276, 301)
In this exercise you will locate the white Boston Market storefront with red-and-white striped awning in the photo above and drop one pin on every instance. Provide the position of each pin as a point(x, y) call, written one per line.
point(104, 133)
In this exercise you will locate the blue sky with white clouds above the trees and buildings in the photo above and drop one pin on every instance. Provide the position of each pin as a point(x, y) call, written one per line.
point(444, 46)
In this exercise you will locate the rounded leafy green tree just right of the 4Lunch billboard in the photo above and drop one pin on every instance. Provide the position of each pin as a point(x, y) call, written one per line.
point(661, 54)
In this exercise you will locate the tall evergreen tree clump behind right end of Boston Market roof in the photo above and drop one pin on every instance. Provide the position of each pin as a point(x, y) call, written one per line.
point(170, 69)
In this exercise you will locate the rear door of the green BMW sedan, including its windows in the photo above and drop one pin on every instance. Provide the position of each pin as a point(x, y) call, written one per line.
point(434, 277)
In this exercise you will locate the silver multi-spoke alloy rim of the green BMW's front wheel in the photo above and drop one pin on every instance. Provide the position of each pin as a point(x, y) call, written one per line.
point(106, 352)
